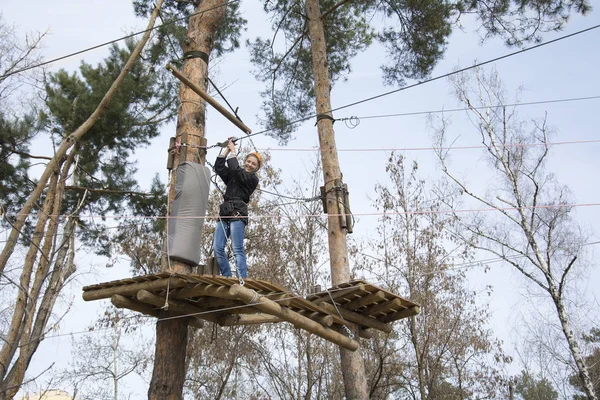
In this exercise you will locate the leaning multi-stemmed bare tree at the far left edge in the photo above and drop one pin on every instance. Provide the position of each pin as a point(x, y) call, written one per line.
point(49, 260)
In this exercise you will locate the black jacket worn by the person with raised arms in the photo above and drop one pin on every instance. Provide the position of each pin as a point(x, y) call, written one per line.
point(240, 186)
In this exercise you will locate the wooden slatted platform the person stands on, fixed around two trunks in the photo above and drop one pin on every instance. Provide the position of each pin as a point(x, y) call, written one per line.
point(224, 301)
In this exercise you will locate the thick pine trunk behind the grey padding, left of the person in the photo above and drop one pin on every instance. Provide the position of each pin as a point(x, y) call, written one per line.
point(169, 371)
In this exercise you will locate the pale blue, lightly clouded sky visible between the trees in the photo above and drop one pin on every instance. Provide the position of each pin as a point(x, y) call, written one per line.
point(562, 70)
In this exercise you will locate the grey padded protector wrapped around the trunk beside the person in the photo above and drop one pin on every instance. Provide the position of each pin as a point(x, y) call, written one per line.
point(189, 206)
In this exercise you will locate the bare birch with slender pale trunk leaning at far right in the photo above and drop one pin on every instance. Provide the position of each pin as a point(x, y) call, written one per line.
point(531, 228)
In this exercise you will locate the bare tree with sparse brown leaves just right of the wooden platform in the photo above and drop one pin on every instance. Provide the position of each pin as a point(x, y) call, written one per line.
point(446, 351)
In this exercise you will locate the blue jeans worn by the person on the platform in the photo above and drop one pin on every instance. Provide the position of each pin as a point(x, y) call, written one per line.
point(234, 229)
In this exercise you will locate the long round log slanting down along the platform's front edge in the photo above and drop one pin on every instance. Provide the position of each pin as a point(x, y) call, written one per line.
point(249, 296)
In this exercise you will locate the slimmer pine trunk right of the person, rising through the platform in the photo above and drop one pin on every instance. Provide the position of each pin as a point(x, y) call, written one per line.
point(353, 368)
